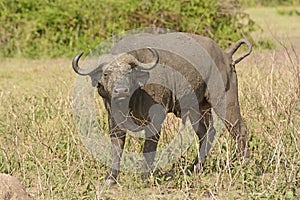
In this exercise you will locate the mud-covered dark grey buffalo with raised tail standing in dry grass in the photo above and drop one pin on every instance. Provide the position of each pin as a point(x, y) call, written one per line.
point(145, 77)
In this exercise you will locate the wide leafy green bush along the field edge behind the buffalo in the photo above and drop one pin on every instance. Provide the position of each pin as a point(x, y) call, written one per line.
point(55, 28)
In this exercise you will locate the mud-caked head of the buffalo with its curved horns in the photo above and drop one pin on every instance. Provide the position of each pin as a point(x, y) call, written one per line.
point(117, 76)
